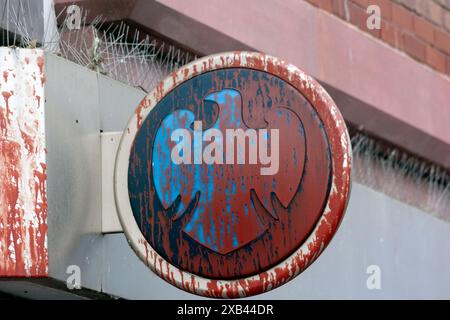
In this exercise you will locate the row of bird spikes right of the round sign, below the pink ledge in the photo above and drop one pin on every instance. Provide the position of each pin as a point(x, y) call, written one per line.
point(401, 175)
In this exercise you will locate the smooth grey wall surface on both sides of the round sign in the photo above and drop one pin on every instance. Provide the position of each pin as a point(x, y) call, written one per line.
point(410, 247)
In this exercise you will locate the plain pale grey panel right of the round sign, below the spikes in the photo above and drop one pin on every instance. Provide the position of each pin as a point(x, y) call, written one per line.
point(410, 246)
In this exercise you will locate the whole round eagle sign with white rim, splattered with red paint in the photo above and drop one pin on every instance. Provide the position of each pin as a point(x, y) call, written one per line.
point(233, 175)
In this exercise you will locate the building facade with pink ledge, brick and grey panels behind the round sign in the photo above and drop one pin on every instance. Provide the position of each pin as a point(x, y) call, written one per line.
point(386, 64)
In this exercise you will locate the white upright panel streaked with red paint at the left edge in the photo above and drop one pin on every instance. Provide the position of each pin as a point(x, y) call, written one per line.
point(23, 200)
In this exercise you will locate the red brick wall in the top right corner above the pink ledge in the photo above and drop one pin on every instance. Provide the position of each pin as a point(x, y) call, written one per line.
point(420, 28)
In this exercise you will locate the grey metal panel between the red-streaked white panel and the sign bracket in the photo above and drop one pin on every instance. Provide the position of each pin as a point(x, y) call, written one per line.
point(74, 168)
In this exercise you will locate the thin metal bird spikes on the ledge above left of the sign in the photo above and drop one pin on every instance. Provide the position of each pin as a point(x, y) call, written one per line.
point(114, 49)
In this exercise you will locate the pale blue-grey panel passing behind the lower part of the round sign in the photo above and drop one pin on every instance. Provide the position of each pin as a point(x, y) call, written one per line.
point(411, 248)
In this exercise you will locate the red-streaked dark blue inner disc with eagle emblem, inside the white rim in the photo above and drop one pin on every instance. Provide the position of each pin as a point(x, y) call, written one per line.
point(234, 218)
